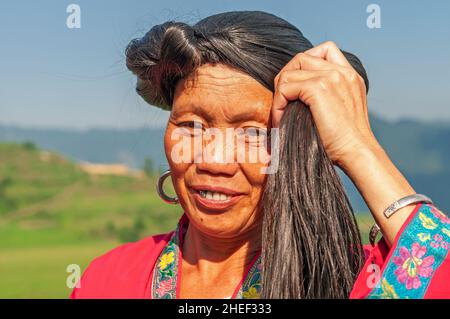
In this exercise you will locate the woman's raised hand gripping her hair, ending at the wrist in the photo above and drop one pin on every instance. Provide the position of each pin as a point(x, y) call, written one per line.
point(324, 80)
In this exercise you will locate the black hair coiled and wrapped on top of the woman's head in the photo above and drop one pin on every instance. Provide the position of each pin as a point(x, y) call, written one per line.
point(256, 43)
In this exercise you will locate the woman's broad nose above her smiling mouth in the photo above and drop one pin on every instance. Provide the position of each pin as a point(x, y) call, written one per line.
point(217, 156)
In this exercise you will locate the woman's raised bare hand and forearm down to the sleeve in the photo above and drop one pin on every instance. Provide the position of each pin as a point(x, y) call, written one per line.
point(336, 94)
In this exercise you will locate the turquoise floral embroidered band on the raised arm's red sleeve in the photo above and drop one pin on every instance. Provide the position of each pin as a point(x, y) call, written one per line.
point(420, 250)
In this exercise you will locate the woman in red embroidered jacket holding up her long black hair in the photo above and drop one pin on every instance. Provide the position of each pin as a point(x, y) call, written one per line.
point(247, 231)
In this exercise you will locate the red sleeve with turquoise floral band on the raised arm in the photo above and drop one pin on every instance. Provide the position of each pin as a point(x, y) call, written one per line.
point(416, 266)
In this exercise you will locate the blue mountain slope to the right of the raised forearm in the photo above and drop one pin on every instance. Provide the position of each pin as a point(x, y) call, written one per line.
point(422, 153)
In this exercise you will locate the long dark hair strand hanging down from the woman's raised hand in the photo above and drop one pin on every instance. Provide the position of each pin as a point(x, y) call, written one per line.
point(311, 243)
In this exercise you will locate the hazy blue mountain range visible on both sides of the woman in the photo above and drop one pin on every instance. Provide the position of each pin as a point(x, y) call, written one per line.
point(420, 150)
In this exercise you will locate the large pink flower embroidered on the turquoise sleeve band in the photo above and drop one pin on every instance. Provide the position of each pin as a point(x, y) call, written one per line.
point(412, 266)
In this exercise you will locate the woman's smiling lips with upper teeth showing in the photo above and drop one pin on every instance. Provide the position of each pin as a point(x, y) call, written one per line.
point(215, 198)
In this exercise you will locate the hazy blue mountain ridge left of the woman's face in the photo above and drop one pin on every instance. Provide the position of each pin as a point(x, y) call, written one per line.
point(130, 146)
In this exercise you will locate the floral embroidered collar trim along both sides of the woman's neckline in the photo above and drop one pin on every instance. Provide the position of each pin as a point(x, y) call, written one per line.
point(165, 273)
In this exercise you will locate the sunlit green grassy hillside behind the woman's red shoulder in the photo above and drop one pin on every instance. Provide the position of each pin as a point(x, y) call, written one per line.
point(53, 214)
